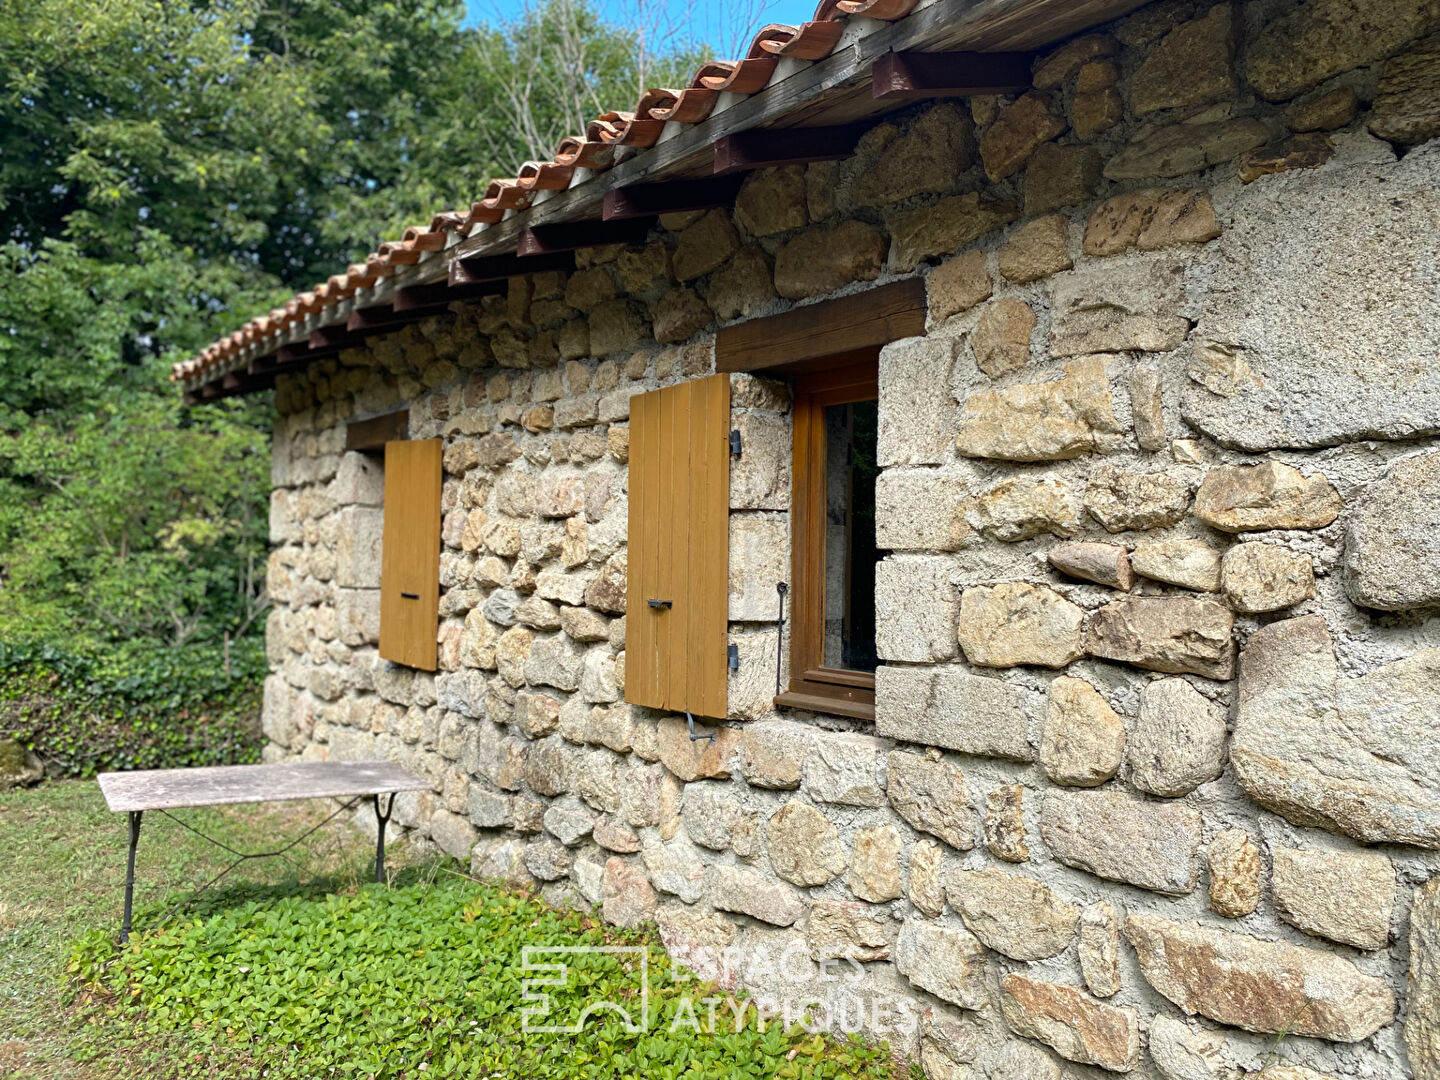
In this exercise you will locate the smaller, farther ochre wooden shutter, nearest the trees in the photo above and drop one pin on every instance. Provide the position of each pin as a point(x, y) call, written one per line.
point(411, 554)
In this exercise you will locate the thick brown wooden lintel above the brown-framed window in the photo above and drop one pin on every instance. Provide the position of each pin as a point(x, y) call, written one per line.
point(829, 329)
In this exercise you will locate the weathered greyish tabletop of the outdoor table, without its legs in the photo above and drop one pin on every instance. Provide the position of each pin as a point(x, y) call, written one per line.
point(228, 784)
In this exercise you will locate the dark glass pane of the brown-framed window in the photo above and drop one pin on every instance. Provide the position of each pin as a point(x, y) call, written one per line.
point(850, 536)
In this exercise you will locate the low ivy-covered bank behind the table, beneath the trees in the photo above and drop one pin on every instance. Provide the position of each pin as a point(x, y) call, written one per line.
point(133, 708)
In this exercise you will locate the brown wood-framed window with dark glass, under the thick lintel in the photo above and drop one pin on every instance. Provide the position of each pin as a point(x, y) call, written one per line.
point(833, 542)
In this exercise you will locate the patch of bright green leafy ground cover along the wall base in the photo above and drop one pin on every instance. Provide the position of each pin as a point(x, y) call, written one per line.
point(426, 980)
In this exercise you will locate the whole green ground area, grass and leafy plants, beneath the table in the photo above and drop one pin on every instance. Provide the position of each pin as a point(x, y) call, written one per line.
point(307, 971)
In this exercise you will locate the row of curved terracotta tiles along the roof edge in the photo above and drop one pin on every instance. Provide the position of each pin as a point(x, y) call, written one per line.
point(594, 150)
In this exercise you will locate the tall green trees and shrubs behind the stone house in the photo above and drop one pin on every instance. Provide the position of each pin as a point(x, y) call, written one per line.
point(171, 168)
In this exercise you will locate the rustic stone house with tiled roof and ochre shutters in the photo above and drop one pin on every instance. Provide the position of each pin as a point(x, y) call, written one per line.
point(1076, 366)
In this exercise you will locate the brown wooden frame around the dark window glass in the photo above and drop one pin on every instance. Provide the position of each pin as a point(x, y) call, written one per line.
point(813, 686)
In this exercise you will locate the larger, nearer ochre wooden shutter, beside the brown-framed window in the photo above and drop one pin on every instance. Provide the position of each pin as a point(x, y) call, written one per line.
point(679, 548)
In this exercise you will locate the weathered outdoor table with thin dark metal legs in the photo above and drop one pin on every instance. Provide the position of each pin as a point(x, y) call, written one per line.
point(168, 790)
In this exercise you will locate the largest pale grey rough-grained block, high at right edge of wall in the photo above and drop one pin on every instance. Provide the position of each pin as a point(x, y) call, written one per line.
point(1304, 361)
